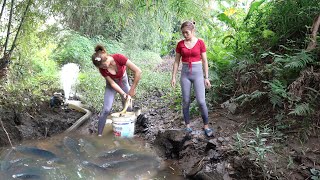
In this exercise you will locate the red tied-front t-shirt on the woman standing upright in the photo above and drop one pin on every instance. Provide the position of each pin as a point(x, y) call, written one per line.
point(193, 54)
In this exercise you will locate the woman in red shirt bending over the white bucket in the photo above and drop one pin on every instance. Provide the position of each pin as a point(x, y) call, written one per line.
point(113, 68)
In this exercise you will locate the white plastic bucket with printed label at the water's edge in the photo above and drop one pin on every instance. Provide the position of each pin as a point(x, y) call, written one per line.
point(123, 125)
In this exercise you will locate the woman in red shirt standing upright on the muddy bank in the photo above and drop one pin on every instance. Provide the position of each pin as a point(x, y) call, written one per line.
point(192, 52)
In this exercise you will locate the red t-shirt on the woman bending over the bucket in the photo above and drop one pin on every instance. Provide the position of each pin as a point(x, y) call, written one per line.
point(121, 61)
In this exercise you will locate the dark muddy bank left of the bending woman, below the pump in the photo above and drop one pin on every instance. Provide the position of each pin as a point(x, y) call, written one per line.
point(42, 123)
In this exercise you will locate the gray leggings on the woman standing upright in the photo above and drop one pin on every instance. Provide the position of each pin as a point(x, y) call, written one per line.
point(196, 78)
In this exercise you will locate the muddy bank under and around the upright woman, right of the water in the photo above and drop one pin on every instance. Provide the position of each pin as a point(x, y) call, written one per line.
point(243, 146)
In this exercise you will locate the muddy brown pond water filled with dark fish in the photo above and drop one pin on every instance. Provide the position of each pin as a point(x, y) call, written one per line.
point(75, 156)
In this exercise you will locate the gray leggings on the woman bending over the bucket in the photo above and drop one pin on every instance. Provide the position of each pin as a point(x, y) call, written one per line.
point(108, 100)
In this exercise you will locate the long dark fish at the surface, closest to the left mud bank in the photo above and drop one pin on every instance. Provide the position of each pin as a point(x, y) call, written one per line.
point(34, 151)
